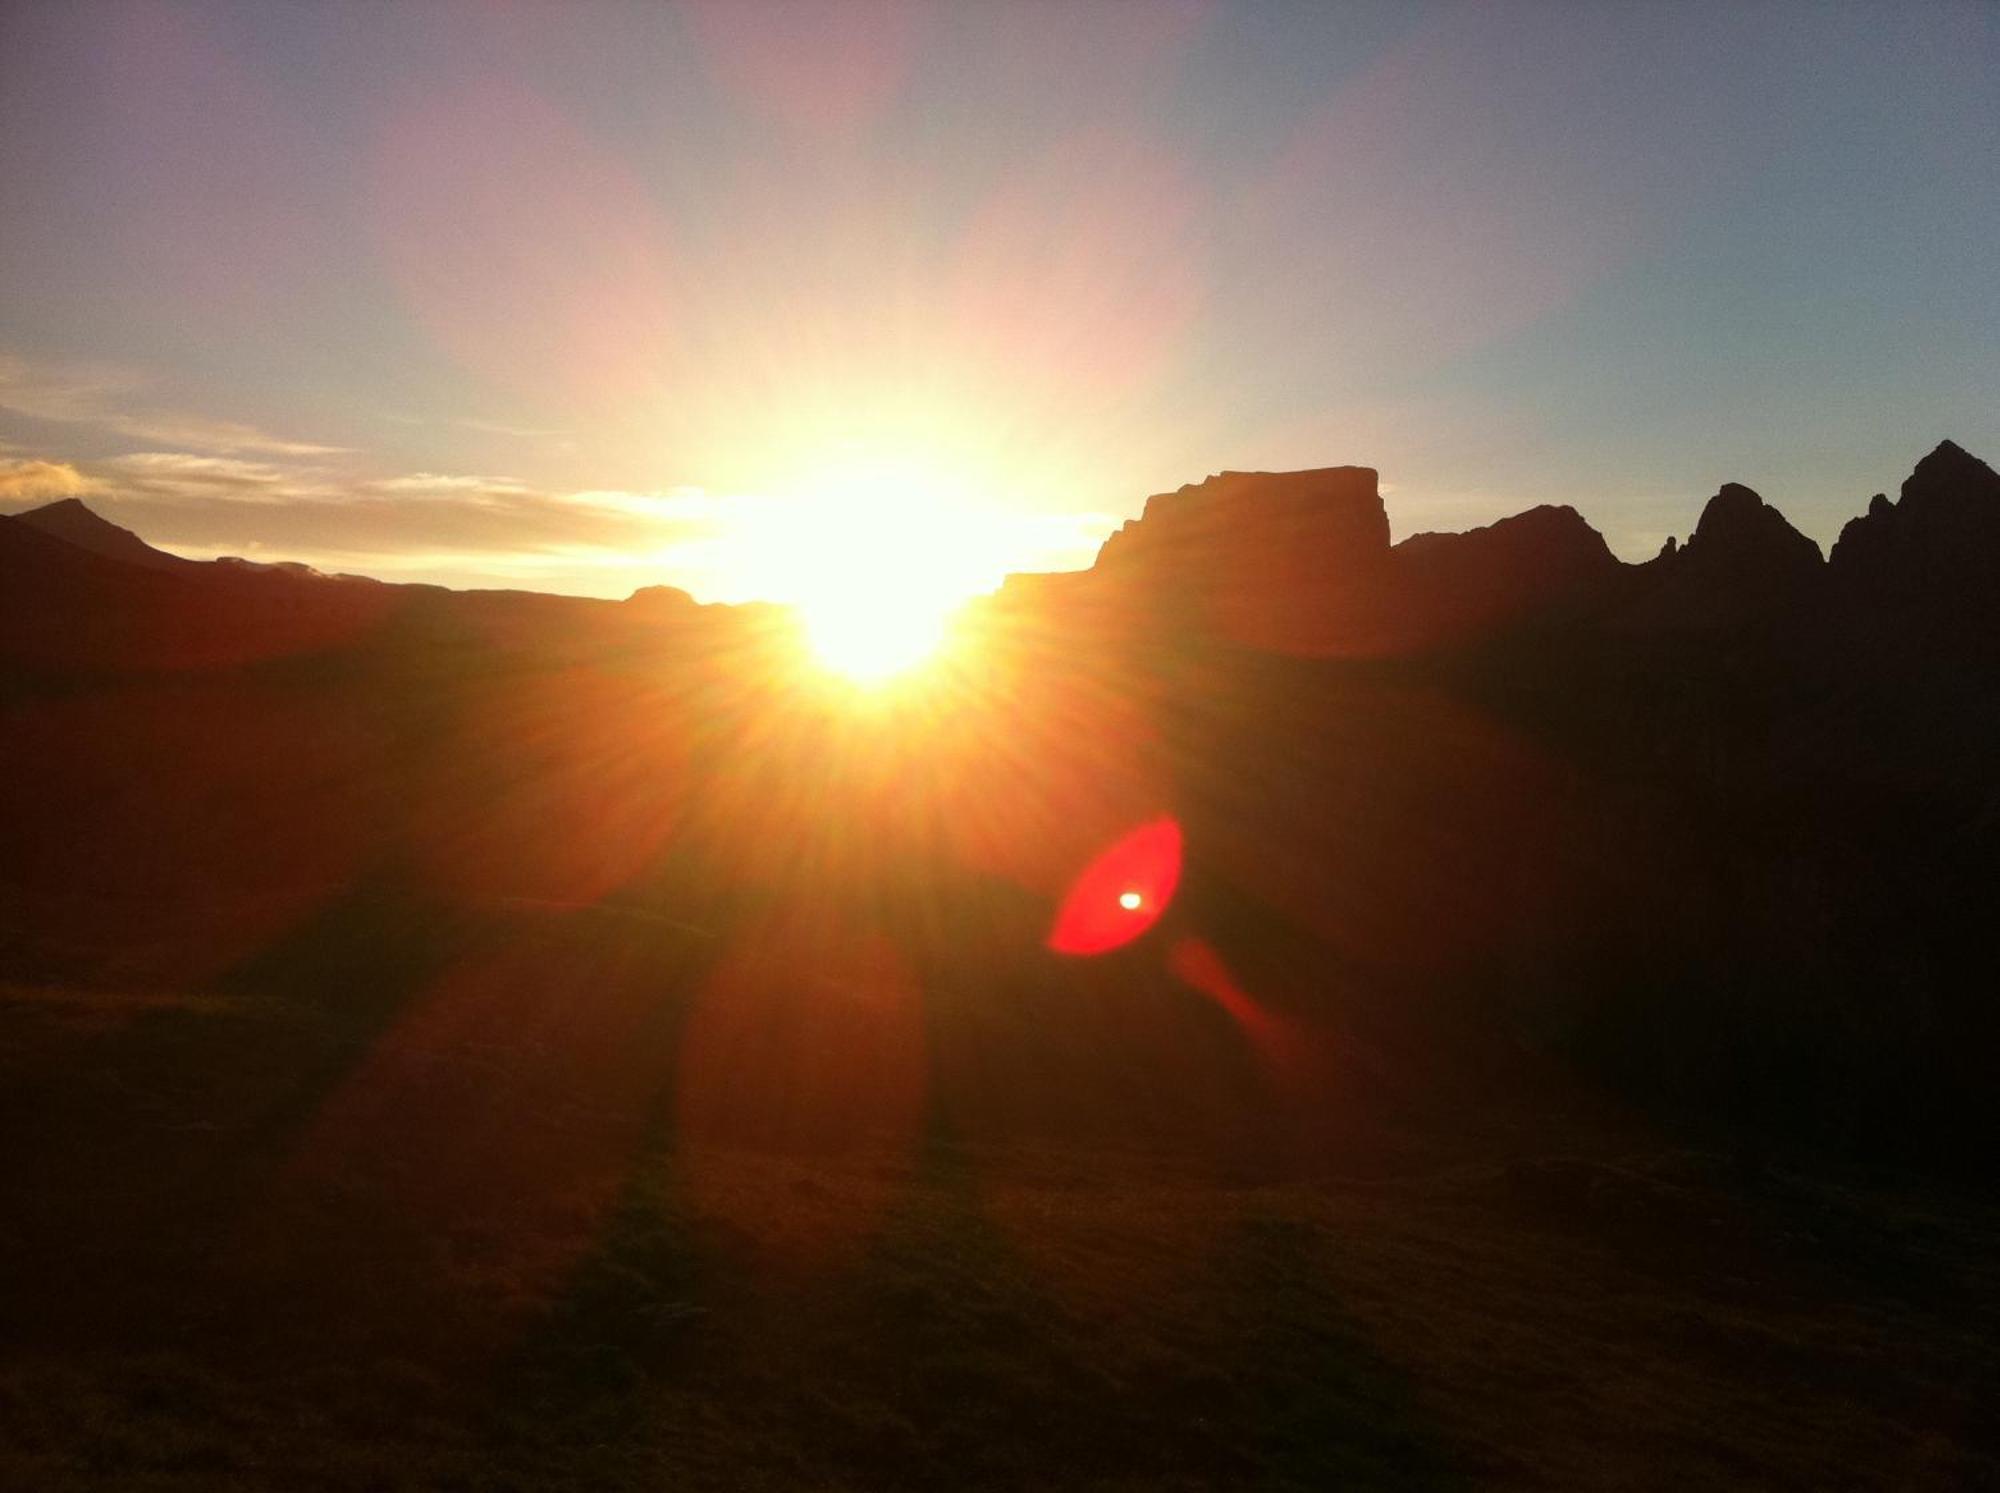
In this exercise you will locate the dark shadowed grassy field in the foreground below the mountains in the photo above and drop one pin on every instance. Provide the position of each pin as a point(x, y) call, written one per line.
point(247, 1240)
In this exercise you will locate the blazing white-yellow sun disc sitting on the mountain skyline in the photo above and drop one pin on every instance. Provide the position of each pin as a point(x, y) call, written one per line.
point(883, 555)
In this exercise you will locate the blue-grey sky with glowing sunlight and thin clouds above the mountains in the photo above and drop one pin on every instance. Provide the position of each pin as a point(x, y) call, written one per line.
point(605, 295)
